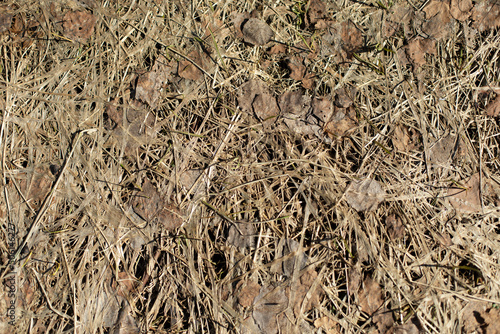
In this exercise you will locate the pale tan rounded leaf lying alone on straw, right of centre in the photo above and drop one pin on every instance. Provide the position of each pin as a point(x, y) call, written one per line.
point(364, 195)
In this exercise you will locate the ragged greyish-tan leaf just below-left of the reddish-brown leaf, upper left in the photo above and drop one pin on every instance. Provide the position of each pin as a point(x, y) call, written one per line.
point(149, 85)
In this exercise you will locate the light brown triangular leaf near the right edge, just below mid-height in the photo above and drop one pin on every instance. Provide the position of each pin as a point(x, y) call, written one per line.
point(467, 200)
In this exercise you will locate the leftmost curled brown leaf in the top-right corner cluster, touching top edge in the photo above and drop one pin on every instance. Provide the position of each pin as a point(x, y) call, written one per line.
point(437, 22)
